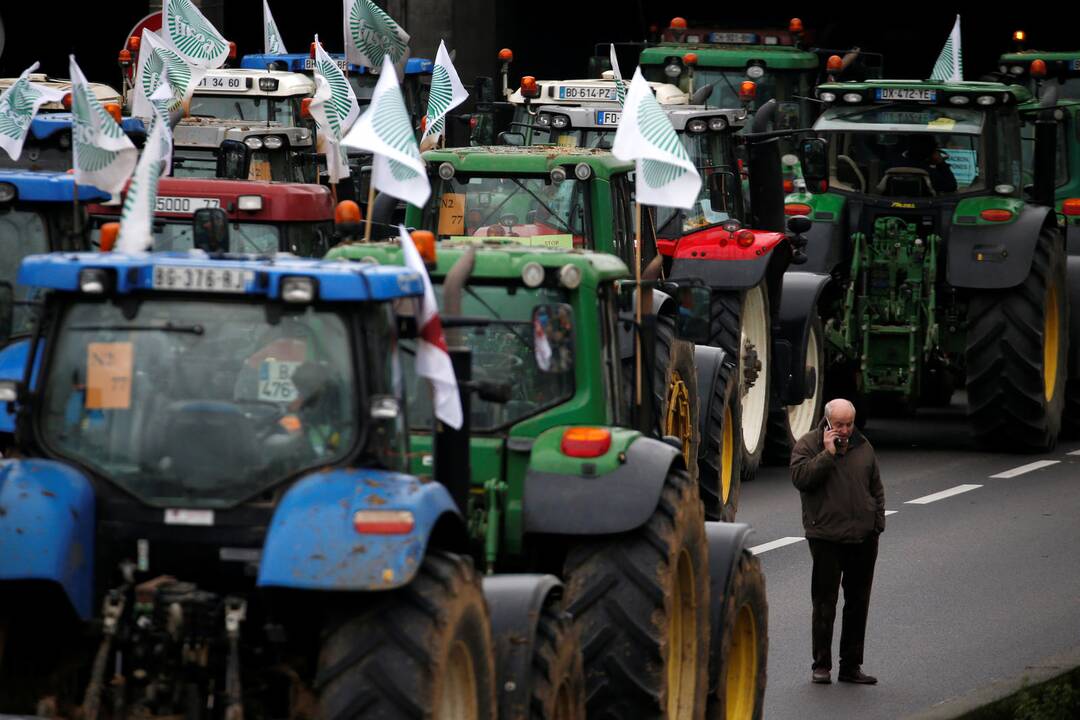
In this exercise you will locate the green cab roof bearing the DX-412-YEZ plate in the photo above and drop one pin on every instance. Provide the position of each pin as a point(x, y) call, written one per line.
point(923, 92)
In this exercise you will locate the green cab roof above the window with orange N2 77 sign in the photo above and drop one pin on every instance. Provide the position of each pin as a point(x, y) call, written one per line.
point(520, 160)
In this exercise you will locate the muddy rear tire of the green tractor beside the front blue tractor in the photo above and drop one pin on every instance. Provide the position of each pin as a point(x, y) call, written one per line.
point(642, 603)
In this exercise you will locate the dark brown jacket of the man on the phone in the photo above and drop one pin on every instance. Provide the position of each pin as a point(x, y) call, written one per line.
point(843, 497)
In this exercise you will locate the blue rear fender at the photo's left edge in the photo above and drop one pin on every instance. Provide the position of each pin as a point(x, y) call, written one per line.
point(47, 528)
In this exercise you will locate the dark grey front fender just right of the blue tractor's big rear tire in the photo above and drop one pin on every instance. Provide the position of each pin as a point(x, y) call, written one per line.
point(517, 603)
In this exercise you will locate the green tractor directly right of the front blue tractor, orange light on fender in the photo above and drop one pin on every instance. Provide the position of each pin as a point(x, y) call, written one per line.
point(563, 478)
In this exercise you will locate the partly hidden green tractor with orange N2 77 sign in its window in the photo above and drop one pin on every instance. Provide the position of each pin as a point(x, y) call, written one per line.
point(583, 199)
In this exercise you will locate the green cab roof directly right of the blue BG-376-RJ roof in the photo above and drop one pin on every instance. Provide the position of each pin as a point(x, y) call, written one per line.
point(496, 261)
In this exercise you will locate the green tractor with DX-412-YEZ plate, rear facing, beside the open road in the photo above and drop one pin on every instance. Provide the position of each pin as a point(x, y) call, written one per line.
point(949, 271)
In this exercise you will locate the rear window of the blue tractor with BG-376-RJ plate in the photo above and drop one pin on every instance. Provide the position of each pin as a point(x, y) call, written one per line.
point(193, 403)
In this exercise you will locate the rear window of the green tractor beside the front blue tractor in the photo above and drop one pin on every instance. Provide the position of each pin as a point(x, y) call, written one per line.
point(503, 352)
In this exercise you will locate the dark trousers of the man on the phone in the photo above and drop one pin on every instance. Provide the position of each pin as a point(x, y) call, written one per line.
point(853, 566)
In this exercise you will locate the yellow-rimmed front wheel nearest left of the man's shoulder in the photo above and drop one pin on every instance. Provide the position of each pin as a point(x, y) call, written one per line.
point(721, 466)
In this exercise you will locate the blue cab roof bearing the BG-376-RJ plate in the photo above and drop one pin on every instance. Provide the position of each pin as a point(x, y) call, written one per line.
point(335, 282)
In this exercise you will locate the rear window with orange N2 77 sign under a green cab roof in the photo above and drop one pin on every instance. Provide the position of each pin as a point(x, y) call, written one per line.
point(533, 210)
